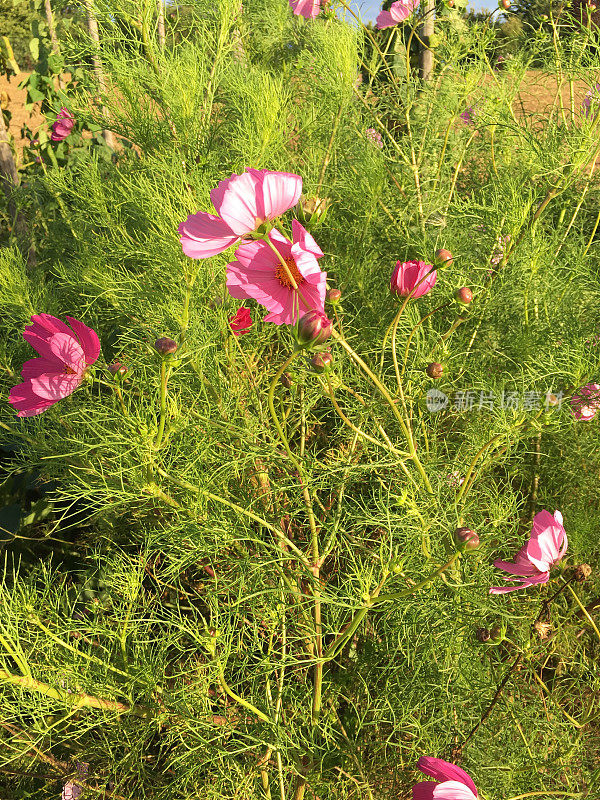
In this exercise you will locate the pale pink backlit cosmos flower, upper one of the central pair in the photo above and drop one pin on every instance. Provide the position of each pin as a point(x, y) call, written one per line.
point(243, 203)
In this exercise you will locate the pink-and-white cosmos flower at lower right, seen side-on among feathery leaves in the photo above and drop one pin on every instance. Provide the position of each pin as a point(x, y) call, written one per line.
point(546, 546)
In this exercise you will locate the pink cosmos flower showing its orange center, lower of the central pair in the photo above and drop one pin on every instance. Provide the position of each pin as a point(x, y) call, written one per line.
point(259, 274)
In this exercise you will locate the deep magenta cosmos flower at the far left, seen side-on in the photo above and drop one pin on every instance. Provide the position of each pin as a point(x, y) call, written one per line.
point(65, 356)
